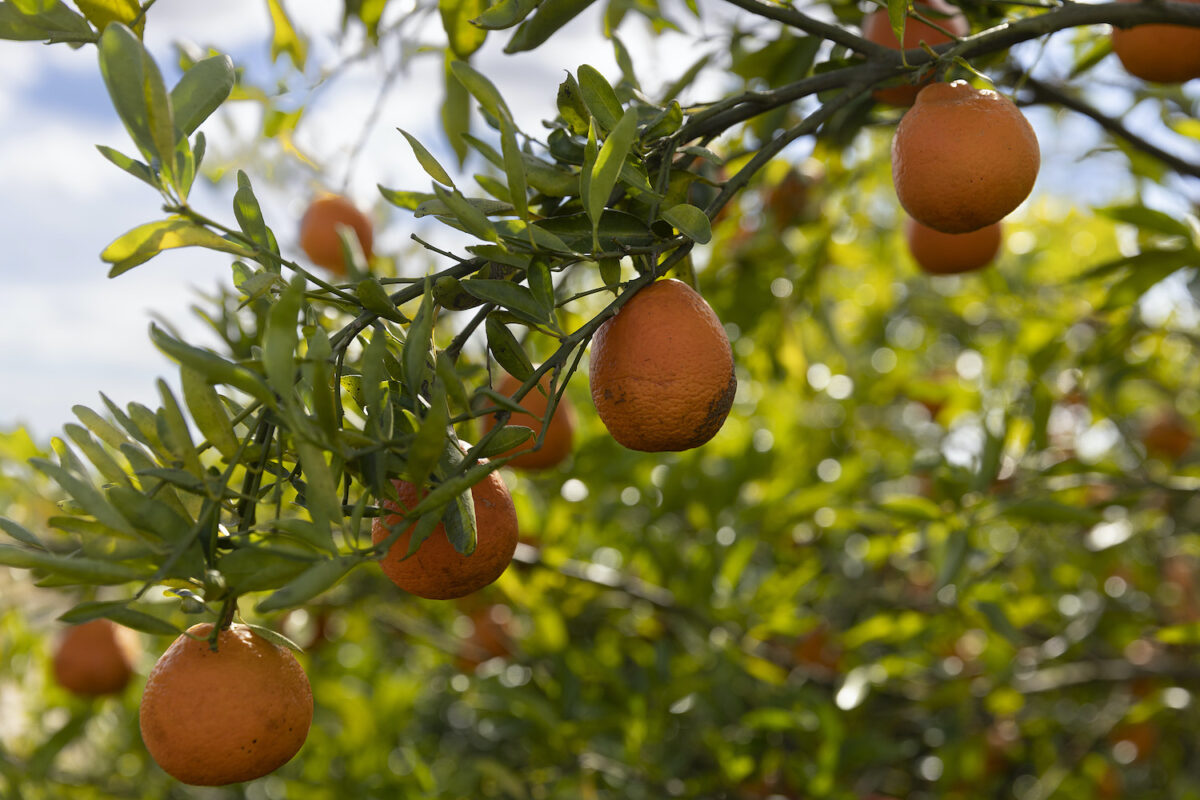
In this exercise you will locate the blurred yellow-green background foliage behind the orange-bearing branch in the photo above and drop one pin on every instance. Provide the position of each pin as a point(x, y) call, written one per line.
point(944, 548)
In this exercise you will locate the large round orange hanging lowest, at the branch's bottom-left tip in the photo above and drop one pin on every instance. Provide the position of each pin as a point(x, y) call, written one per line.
point(226, 717)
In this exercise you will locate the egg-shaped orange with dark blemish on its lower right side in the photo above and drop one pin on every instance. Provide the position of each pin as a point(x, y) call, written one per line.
point(662, 370)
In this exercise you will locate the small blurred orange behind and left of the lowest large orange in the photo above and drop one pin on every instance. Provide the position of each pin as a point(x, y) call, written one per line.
point(95, 659)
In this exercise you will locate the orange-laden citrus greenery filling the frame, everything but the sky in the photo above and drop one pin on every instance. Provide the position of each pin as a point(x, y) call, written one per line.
point(836, 521)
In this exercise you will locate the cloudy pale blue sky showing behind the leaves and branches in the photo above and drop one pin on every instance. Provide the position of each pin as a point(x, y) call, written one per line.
point(70, 333)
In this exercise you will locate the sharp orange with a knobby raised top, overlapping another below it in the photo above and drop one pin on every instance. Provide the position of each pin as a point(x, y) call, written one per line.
point(963, 158)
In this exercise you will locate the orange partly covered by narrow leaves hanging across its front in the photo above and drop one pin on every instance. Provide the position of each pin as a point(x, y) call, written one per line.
point(437, 572)
